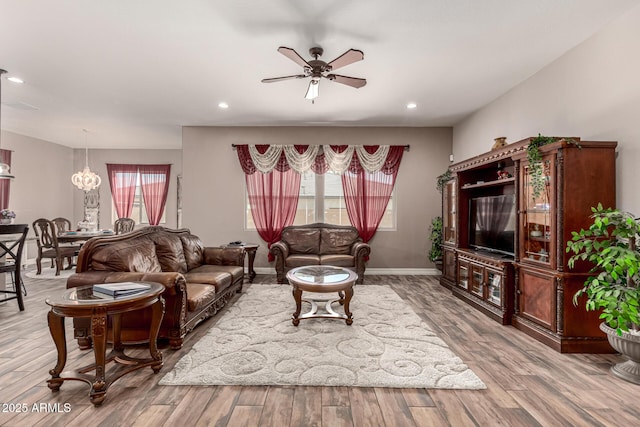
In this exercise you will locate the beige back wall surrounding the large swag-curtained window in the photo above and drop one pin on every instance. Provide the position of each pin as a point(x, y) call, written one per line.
point(214, 187)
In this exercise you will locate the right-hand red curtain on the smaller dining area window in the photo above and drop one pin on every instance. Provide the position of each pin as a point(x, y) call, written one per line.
point(154, 181)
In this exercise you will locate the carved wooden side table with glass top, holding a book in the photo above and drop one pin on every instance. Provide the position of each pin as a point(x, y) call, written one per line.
point(83, 302)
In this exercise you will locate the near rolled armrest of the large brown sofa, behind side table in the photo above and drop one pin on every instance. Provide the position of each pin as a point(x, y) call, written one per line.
point(173, 282)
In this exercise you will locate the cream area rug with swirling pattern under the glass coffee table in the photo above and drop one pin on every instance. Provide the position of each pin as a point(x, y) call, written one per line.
point(388, 345)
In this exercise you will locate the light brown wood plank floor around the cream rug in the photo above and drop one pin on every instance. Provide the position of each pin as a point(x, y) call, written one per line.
point(528, 383)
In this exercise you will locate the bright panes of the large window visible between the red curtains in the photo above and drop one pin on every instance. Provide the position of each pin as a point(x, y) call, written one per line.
point(322, 200)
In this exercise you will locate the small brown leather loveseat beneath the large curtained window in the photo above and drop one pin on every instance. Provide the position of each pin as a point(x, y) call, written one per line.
point(320, 244)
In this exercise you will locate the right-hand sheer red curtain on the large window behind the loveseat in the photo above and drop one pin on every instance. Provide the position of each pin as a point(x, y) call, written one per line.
point(367, 194)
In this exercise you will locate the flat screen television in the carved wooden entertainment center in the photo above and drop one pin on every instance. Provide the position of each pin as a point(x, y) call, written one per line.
point(492, 222)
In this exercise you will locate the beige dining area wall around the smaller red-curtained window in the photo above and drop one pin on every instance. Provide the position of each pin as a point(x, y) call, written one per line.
point(98, 160)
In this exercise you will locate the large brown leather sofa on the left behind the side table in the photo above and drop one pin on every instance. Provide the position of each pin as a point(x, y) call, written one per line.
point(199, 281)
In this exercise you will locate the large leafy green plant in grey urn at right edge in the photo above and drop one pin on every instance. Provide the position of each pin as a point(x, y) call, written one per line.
point(610, 245)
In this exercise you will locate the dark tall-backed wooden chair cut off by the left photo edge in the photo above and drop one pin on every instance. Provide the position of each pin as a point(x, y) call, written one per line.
point(11, 259)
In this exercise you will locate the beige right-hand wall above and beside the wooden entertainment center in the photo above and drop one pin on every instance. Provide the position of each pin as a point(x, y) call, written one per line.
point(592, 92)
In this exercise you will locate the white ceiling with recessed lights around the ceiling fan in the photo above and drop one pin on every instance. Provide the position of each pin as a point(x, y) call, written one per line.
point(134, 72)
